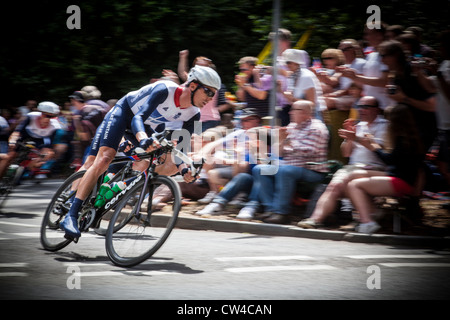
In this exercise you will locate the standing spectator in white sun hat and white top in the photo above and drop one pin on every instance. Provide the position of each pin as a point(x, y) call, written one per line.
point(303, 83)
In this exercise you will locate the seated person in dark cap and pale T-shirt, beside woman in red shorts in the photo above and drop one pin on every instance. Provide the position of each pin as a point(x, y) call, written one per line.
point(362, 162)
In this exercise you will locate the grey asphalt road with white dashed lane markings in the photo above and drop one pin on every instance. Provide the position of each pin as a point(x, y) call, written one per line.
point(208, 265)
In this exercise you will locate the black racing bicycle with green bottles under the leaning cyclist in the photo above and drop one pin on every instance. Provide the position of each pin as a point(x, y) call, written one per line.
point(134, 226)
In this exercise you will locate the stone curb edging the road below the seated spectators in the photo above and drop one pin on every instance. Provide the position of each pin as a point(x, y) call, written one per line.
point(194, 223)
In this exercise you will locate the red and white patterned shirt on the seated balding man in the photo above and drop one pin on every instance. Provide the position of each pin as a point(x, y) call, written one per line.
point(307, 142)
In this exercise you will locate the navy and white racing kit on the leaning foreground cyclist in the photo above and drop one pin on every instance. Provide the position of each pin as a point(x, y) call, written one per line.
point(152, 108)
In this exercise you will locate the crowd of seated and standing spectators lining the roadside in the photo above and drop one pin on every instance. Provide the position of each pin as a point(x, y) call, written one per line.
point(352, 105)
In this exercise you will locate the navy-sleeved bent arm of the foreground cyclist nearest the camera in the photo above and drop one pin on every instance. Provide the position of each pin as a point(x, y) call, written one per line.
point(157, 96)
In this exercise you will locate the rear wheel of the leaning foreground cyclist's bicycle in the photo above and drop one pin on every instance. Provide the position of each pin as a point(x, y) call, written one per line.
point(52, 238)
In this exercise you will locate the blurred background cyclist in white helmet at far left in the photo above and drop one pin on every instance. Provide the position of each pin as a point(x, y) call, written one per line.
point(40, 127)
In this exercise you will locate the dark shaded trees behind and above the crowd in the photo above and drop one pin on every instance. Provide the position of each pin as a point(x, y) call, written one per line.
point(123, 44)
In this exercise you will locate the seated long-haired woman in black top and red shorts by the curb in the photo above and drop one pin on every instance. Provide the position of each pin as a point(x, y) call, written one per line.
point(403, 164)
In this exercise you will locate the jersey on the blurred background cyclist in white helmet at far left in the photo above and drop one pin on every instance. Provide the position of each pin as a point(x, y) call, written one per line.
point(31, 130)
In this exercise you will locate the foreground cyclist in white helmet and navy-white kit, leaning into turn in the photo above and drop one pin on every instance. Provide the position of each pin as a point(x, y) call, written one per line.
point(144, 111)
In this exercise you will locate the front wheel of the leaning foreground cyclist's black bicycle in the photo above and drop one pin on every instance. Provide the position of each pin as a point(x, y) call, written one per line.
point(136, 232)
